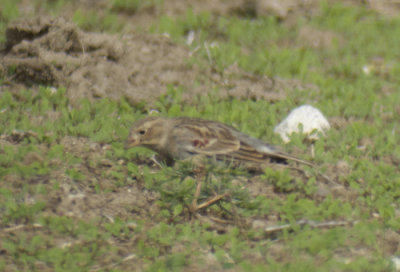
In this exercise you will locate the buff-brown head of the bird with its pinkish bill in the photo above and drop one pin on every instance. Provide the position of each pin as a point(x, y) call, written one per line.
point(148, 132)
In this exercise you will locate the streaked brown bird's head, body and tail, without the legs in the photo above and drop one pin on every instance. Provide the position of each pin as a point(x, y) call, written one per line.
point(184, 138)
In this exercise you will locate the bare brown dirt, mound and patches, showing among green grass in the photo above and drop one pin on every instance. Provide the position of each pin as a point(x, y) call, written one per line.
point(138, 67)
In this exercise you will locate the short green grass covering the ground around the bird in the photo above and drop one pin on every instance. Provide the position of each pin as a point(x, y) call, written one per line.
point(40, 166)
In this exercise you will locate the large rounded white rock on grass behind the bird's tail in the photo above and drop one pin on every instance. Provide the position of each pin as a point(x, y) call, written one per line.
point(311, 119)
